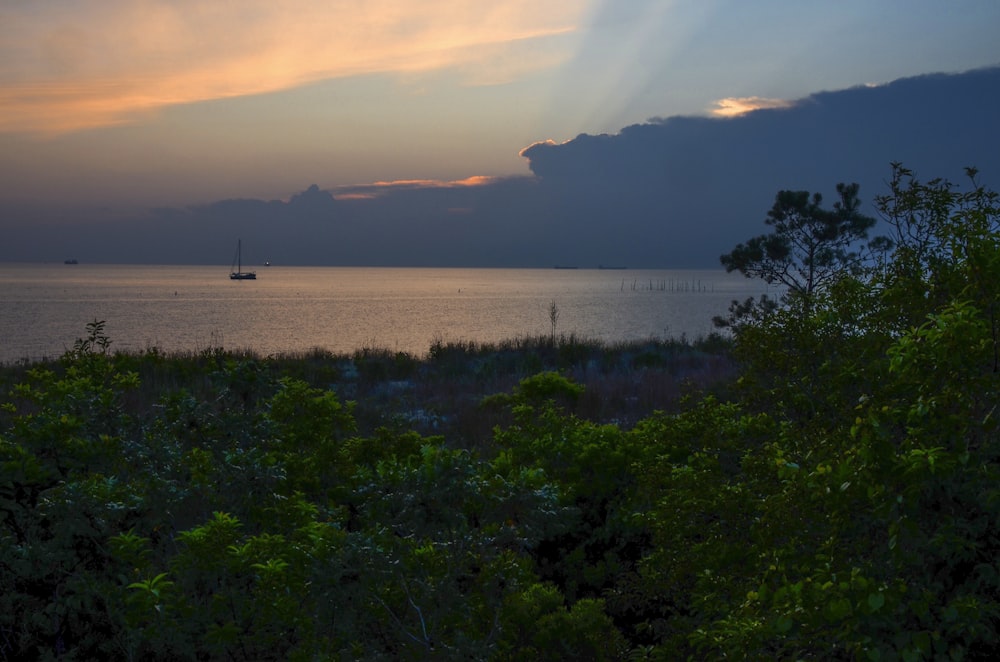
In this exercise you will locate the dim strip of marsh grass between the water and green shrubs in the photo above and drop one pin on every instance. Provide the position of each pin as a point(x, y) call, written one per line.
point(440, 393)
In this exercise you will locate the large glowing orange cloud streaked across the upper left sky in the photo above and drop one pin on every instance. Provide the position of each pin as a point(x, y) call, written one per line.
point(72, 66)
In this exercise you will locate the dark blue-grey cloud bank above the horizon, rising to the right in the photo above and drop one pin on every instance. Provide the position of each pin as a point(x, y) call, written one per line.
point(675, 192)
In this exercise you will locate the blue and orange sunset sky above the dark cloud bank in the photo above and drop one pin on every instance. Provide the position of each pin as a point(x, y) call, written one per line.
point(110, 109)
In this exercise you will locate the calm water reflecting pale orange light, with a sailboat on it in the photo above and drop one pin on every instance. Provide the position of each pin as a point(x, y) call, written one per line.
point(45, 307)
